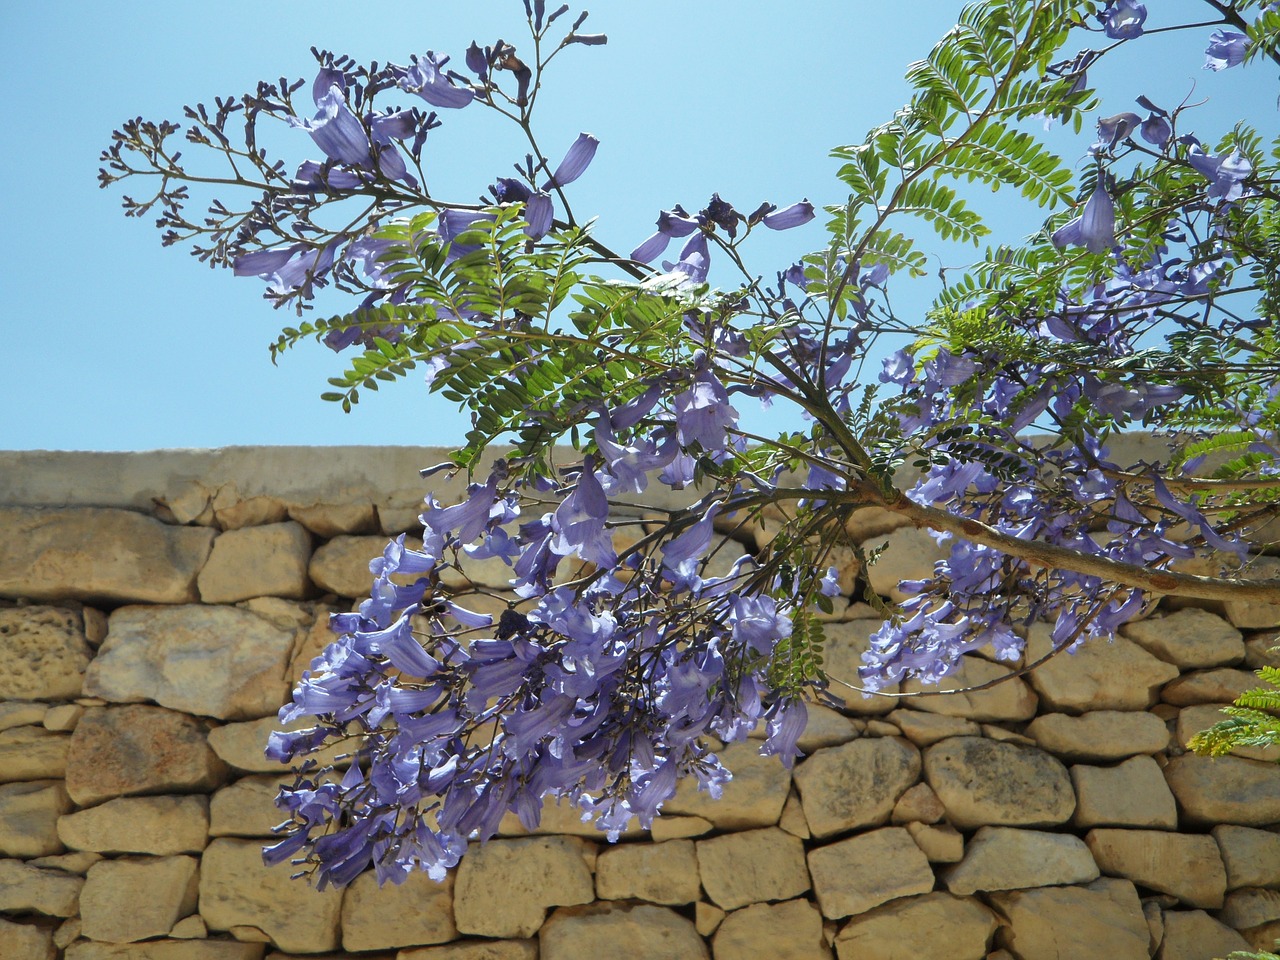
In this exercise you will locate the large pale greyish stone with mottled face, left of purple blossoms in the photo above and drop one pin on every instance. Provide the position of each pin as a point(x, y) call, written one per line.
point(214, 661)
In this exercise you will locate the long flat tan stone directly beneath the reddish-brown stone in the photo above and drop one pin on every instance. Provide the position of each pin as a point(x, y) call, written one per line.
point(148, 825)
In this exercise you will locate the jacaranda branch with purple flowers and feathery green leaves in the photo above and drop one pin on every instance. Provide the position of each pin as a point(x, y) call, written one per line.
point(1148, 299)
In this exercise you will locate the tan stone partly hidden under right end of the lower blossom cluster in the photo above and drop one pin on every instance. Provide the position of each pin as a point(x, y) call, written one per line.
point(755, 798)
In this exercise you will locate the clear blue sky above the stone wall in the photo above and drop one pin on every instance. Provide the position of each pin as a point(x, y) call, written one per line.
point(112, 342)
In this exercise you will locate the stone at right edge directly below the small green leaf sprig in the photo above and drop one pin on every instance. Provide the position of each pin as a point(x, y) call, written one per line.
point(1226, 790)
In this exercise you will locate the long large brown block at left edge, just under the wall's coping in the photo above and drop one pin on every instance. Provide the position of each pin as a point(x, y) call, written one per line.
point(99, 555)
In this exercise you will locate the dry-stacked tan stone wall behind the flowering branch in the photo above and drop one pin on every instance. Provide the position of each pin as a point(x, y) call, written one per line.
point(158, 607)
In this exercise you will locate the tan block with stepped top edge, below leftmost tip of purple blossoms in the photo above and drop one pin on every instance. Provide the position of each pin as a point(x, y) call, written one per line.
point(237, 890)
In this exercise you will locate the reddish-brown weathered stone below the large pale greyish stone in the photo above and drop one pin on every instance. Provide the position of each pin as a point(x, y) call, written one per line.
point(129, 751)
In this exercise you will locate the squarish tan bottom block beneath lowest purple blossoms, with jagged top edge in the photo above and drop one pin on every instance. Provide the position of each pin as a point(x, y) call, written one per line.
point(415, 912)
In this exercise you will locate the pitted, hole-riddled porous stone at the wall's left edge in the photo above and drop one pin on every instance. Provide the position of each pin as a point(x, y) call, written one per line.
point(45, 653)
